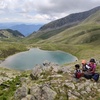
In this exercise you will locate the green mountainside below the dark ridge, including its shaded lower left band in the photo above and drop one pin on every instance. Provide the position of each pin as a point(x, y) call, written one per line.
point(87, 31)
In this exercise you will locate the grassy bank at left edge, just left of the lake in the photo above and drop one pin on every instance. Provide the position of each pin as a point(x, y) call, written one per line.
point(9, 48)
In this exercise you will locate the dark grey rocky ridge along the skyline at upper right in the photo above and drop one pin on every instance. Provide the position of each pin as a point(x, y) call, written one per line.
point(70, 20)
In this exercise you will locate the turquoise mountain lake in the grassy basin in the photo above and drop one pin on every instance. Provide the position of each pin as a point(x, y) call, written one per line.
point(27, 60)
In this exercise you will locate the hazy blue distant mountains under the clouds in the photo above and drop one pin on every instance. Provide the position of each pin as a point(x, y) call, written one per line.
point(25, 29)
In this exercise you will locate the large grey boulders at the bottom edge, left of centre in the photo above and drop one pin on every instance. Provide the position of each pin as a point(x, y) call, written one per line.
point(36, 92)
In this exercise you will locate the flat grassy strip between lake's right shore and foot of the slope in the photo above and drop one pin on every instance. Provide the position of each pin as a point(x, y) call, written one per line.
point(84, 51)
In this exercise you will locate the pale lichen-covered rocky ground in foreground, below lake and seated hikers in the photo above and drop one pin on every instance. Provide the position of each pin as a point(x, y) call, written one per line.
point(56, 83)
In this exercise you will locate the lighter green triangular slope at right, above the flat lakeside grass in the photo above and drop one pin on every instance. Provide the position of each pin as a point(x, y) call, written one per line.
point(87, 32)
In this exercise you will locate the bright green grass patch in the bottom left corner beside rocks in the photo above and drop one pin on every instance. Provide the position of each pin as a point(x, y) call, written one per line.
point(6, 93)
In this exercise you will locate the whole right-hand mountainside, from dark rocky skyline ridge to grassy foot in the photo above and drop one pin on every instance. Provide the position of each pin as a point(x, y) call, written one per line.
point(72, 33)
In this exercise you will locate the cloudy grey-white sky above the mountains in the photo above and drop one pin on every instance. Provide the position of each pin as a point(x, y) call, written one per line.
point(41, 11)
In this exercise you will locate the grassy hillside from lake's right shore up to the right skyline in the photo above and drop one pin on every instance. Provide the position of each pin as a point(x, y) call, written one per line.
point(82, 40)
